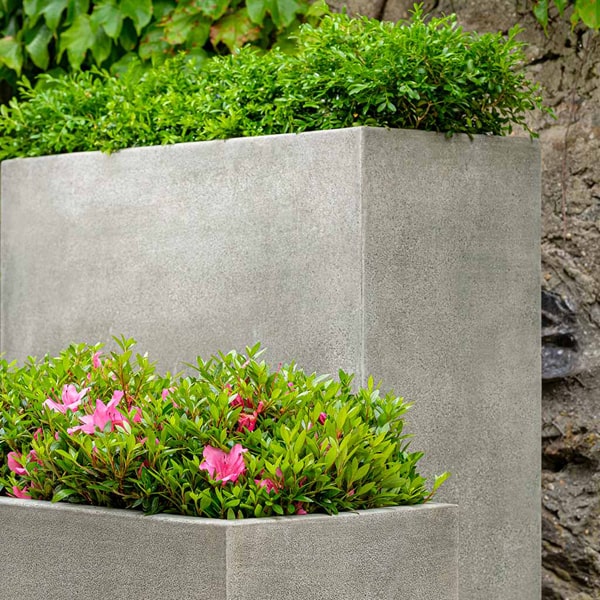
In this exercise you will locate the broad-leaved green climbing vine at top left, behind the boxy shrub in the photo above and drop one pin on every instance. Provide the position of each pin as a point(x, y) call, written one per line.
point(37, 35)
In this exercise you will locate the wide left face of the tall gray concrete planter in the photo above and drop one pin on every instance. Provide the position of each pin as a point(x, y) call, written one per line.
point(189, 249)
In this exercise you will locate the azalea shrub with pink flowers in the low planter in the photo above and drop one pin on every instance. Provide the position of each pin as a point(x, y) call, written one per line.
point(234, 439)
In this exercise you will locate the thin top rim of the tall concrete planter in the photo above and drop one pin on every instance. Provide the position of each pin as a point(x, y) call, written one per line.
point(455, 138)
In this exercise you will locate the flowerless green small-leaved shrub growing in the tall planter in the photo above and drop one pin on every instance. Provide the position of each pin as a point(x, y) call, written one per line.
point(348, 72)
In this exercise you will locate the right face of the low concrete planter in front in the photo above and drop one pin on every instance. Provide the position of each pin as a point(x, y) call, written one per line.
point(386, 554)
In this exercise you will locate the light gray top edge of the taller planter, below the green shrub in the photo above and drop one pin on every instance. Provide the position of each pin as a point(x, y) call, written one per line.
point(457, 137)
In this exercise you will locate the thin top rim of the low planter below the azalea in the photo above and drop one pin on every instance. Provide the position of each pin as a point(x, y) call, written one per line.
point(204, 521)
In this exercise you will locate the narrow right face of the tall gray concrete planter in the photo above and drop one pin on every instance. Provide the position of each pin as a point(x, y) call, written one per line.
point(452, 322)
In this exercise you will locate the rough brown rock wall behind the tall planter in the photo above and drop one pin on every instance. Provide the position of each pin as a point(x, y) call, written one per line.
point(567, 64)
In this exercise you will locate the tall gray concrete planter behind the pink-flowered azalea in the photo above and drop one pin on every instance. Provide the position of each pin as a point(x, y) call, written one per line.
point(400, 254)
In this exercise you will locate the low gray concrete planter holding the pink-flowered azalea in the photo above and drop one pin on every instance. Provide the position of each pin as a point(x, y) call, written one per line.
point(61, 552)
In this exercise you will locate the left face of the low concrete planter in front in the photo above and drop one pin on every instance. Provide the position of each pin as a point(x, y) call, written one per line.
point(62, 552)
